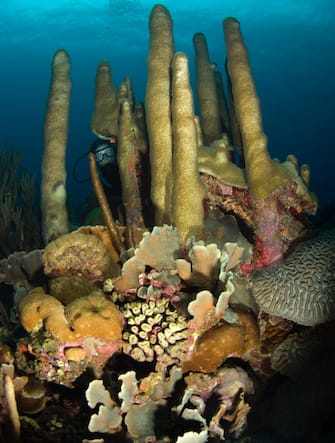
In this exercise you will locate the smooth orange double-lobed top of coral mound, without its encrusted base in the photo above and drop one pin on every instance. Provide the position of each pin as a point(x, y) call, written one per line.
point(92, 315)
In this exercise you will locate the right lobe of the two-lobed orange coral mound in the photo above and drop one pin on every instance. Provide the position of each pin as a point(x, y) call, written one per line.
point(95, 316)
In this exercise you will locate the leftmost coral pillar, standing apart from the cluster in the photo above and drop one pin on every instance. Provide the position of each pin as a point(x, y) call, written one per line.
point(53, 187)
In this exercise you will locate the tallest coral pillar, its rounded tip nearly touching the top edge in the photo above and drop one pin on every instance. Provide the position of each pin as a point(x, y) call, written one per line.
point(158, 111)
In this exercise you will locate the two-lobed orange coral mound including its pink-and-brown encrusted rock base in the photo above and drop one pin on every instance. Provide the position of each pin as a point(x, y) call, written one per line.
point(64, 341)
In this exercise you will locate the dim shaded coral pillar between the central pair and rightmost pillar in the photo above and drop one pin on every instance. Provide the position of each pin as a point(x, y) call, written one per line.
point(206, 90)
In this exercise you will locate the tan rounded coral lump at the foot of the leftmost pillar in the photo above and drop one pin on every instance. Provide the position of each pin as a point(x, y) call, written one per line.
point(79, 254)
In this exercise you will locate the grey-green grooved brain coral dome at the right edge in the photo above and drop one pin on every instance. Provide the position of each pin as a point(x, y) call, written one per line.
point(302, 289)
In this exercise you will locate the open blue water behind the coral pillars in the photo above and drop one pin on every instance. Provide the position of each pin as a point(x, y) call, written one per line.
point(291, 45)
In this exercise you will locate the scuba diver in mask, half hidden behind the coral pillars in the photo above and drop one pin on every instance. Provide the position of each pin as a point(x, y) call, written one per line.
point(105, 152)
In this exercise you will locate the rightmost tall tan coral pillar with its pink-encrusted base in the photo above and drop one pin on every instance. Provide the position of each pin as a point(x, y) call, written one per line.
point(277, 191)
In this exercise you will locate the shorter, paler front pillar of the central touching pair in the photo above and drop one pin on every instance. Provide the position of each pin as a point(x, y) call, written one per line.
point(188, 191)
